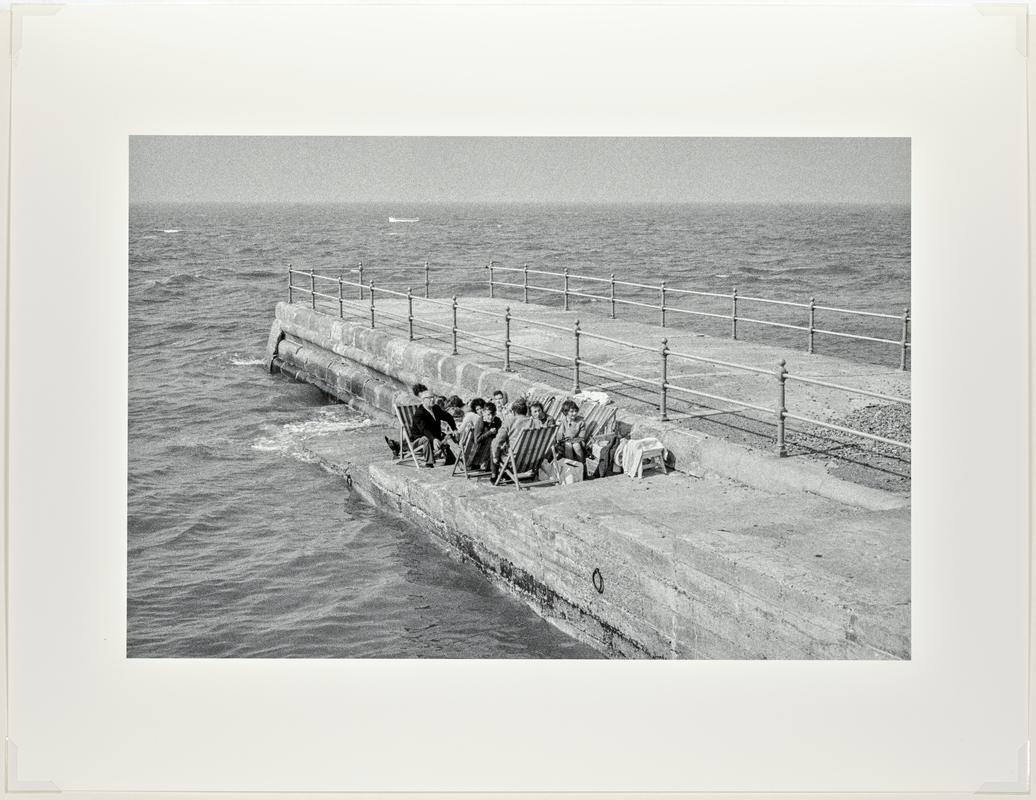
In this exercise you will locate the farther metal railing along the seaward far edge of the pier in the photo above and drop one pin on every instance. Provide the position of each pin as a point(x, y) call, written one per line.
point(736, 316)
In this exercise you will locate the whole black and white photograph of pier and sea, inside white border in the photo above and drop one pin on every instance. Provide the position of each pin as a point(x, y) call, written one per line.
point(520, 397)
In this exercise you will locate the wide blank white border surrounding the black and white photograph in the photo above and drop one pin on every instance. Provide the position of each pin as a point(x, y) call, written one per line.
point(84, 720)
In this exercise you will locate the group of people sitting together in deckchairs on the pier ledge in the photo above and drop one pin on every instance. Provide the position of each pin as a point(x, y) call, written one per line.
point(441, 421)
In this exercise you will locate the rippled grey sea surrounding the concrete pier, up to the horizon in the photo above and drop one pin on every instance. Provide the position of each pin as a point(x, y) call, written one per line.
point(242, 547)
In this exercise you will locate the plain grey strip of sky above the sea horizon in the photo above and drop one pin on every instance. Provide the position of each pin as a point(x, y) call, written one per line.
point(440, 169)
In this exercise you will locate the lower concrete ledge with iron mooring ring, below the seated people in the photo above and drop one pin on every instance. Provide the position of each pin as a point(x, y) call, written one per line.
point(693, 567)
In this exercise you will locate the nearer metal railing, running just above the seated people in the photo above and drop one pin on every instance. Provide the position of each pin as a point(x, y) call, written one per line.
point(779, 412)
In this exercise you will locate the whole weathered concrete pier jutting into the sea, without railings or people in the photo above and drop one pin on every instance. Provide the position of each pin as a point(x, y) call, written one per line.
point(737, 555)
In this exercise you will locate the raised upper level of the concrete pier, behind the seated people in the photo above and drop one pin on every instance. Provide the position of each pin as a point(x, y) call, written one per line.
point(368, 367)
